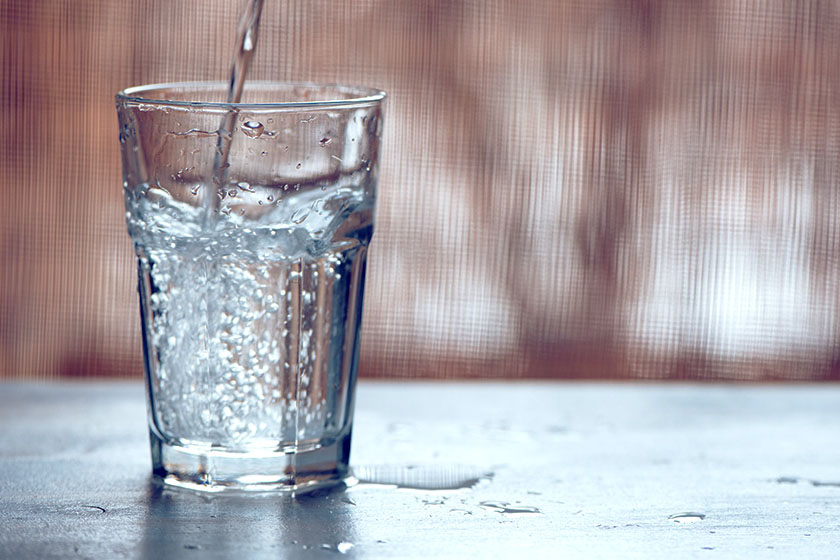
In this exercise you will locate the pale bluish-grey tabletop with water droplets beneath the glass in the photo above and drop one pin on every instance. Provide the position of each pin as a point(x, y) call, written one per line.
point(450, 470)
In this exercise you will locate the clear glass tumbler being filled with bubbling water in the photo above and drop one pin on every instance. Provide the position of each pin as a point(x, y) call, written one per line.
point(251, 224)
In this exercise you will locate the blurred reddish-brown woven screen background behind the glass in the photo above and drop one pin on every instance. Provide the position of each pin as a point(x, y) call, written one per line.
point(569, 189)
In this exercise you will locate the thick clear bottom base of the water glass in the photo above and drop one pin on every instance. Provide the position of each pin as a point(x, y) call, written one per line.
point(210, 469)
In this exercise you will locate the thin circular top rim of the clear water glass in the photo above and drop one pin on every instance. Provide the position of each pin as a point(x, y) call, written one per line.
point(359, 96)
